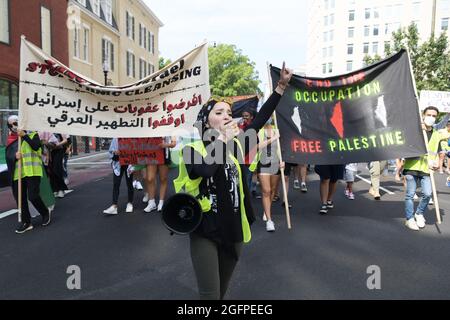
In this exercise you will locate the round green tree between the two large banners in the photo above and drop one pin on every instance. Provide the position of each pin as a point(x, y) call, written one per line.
point(230, 72)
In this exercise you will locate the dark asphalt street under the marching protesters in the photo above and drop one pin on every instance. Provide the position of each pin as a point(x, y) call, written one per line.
point(132, 255)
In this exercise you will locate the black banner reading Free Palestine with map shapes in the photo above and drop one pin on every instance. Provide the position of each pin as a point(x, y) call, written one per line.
point(370, 114)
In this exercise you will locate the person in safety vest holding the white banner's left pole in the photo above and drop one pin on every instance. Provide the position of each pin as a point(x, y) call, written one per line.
point(29, 152)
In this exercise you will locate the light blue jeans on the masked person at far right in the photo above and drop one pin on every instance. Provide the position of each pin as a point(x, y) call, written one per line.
point(411, 186)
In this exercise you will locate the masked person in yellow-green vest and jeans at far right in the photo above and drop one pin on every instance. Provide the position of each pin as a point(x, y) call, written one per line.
point(417, 170)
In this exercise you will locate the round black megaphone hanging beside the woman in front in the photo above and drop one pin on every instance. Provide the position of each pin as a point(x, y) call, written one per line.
point(181, 213)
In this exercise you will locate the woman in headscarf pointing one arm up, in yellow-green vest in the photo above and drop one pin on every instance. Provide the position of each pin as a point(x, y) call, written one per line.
point(212, 169)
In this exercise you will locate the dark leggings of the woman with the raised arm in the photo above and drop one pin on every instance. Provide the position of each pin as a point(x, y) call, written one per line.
point(213, 266)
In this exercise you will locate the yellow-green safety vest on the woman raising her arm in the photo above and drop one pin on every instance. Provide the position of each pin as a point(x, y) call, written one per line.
point(191, 186)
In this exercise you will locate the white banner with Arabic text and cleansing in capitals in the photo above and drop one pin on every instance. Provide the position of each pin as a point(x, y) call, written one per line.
point(55, 98)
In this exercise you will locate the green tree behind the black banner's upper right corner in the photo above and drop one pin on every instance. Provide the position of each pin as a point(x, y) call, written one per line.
point(430, 60)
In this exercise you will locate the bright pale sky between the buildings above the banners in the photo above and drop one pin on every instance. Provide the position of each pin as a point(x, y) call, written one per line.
point(264, 30)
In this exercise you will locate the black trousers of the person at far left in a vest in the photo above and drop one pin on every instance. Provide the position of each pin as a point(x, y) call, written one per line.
point(30, 190)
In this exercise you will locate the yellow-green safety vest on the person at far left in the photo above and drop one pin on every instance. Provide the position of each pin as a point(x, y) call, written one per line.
point(31, 161)
